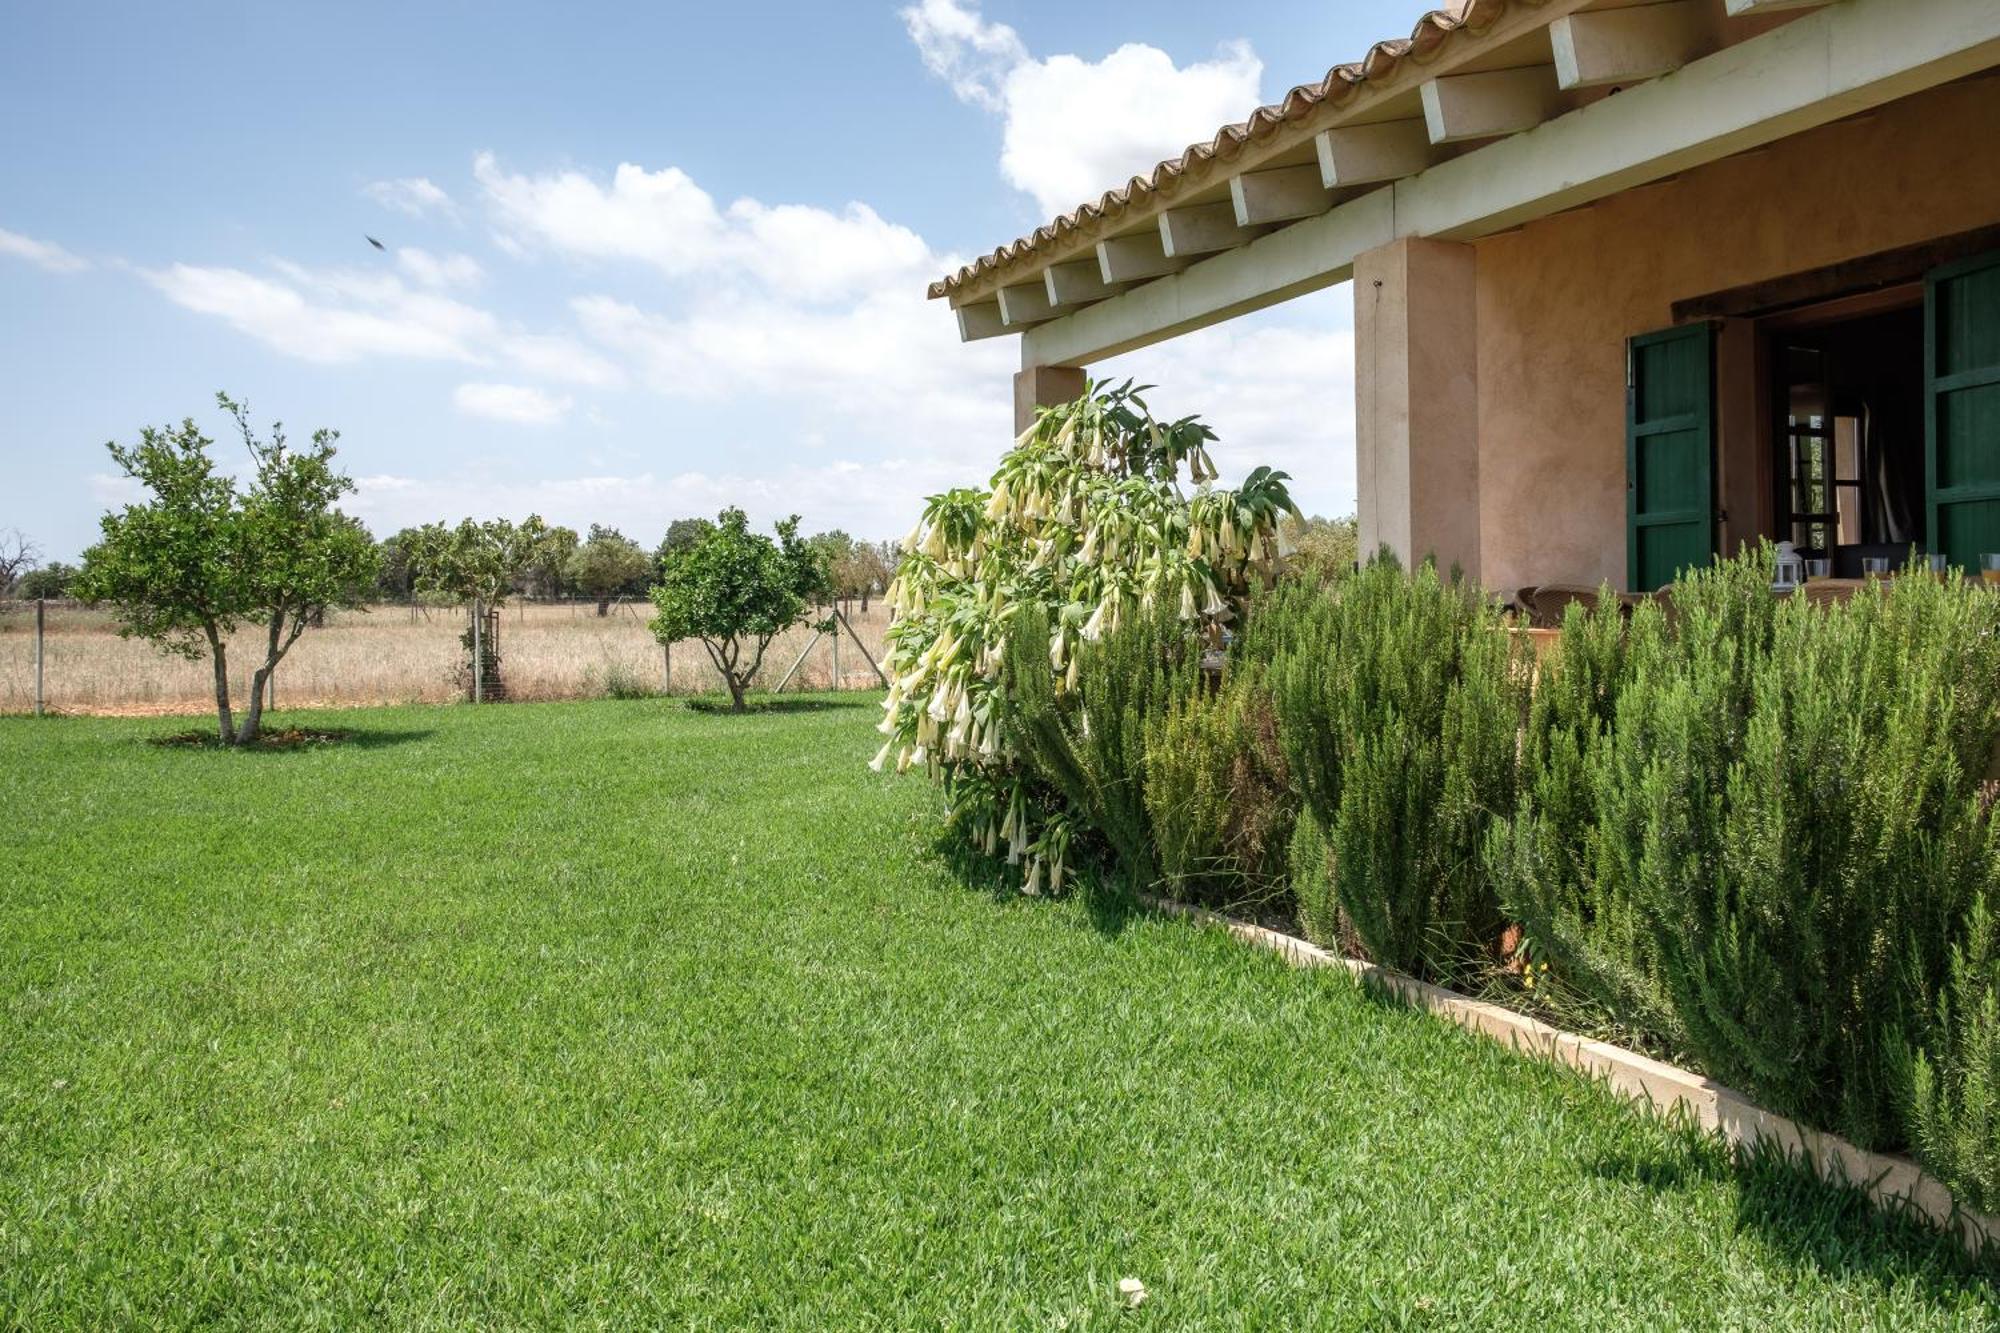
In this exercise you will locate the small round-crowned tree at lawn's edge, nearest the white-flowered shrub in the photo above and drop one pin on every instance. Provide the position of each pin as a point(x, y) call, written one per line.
point(737, 591)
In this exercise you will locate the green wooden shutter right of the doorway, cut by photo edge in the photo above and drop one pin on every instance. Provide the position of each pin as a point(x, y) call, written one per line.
point(1963, 409)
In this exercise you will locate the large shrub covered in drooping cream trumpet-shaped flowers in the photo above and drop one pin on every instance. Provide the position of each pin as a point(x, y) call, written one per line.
point(1087, 519)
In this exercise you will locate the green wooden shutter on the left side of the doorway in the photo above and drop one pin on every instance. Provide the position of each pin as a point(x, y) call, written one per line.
point(1671, 453)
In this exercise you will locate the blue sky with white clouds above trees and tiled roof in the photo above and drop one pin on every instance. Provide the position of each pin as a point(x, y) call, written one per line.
point(641, 261)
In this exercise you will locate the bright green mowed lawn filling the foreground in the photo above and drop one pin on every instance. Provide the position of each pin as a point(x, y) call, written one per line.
point(621, 1014)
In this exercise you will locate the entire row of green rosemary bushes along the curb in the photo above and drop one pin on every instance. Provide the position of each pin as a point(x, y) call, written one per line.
point(1753, 834)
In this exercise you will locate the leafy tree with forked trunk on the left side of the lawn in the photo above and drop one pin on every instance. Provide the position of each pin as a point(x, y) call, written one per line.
point(201, 557)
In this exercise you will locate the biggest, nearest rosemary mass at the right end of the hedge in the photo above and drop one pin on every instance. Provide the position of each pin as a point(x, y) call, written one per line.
point(1761, 832)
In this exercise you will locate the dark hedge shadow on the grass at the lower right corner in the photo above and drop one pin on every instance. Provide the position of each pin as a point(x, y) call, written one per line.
point(1815, 1226)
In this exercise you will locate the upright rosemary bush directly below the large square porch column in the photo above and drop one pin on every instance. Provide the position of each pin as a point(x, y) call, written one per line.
point(1399, 710)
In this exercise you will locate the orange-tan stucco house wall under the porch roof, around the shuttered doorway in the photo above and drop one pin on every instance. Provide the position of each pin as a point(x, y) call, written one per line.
point(1557, 301)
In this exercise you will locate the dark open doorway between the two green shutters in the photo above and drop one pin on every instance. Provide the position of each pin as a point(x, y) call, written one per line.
point(1849, 433)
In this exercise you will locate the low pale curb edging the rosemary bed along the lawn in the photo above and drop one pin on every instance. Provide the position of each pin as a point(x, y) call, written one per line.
point(1893, 1184)
